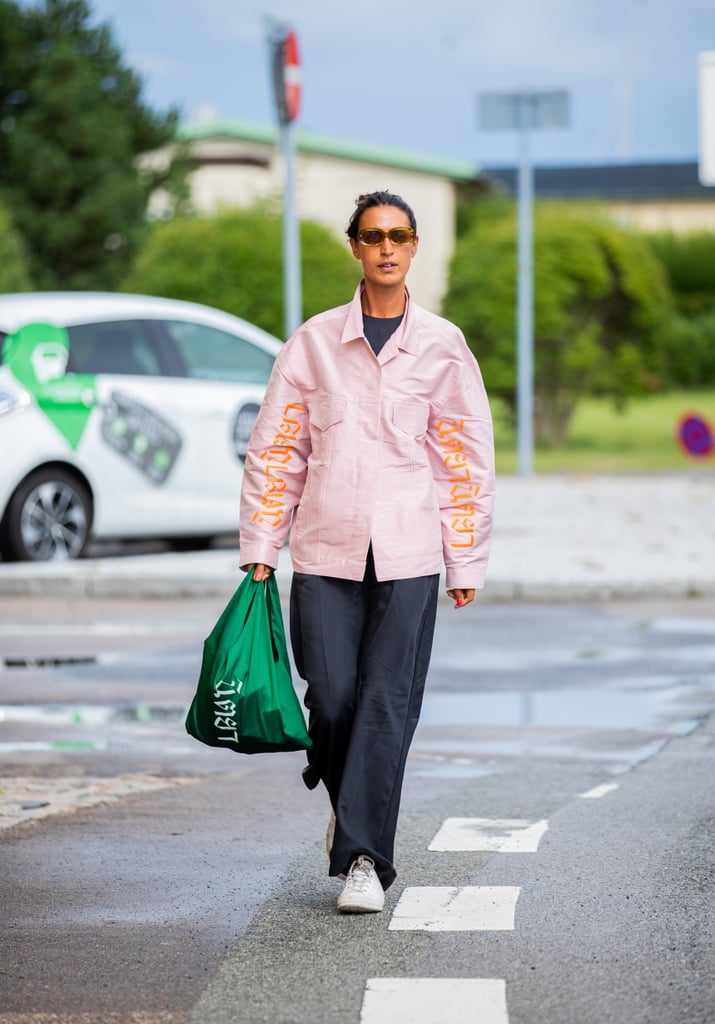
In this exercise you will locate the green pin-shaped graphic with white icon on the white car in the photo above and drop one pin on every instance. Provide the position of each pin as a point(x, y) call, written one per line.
point(37, 357)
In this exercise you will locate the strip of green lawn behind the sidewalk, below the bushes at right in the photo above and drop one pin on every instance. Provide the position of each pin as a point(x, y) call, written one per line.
point(643, 439)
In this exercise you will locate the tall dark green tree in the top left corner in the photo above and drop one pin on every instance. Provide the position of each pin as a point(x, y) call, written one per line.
point(73, 126)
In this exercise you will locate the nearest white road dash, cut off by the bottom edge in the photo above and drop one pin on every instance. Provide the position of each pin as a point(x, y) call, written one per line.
point(435, 1001)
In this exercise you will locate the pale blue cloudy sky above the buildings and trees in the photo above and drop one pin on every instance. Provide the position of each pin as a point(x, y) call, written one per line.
point(407, 74)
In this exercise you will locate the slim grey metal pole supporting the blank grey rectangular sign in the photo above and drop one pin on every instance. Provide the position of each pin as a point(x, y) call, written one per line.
point(525, 301)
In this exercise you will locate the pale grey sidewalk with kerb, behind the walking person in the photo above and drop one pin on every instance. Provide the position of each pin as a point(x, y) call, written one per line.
point(557, 538)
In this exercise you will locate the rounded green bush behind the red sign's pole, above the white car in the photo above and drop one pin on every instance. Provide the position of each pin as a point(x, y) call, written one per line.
point(234, 262)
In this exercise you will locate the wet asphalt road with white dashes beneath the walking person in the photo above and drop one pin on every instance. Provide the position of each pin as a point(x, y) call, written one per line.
point(147, 880)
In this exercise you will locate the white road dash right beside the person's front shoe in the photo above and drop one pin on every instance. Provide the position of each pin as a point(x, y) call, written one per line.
point(473, 909)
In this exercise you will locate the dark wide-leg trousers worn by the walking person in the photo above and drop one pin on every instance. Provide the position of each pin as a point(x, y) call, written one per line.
point(364, 650)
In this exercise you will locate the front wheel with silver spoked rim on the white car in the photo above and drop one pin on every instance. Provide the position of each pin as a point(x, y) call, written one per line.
point(49, 518)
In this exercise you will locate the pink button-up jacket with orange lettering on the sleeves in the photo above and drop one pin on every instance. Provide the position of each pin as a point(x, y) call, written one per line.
point(352, 449)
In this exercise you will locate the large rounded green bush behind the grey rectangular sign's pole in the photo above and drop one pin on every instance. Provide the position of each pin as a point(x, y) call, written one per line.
point(600, 304)
